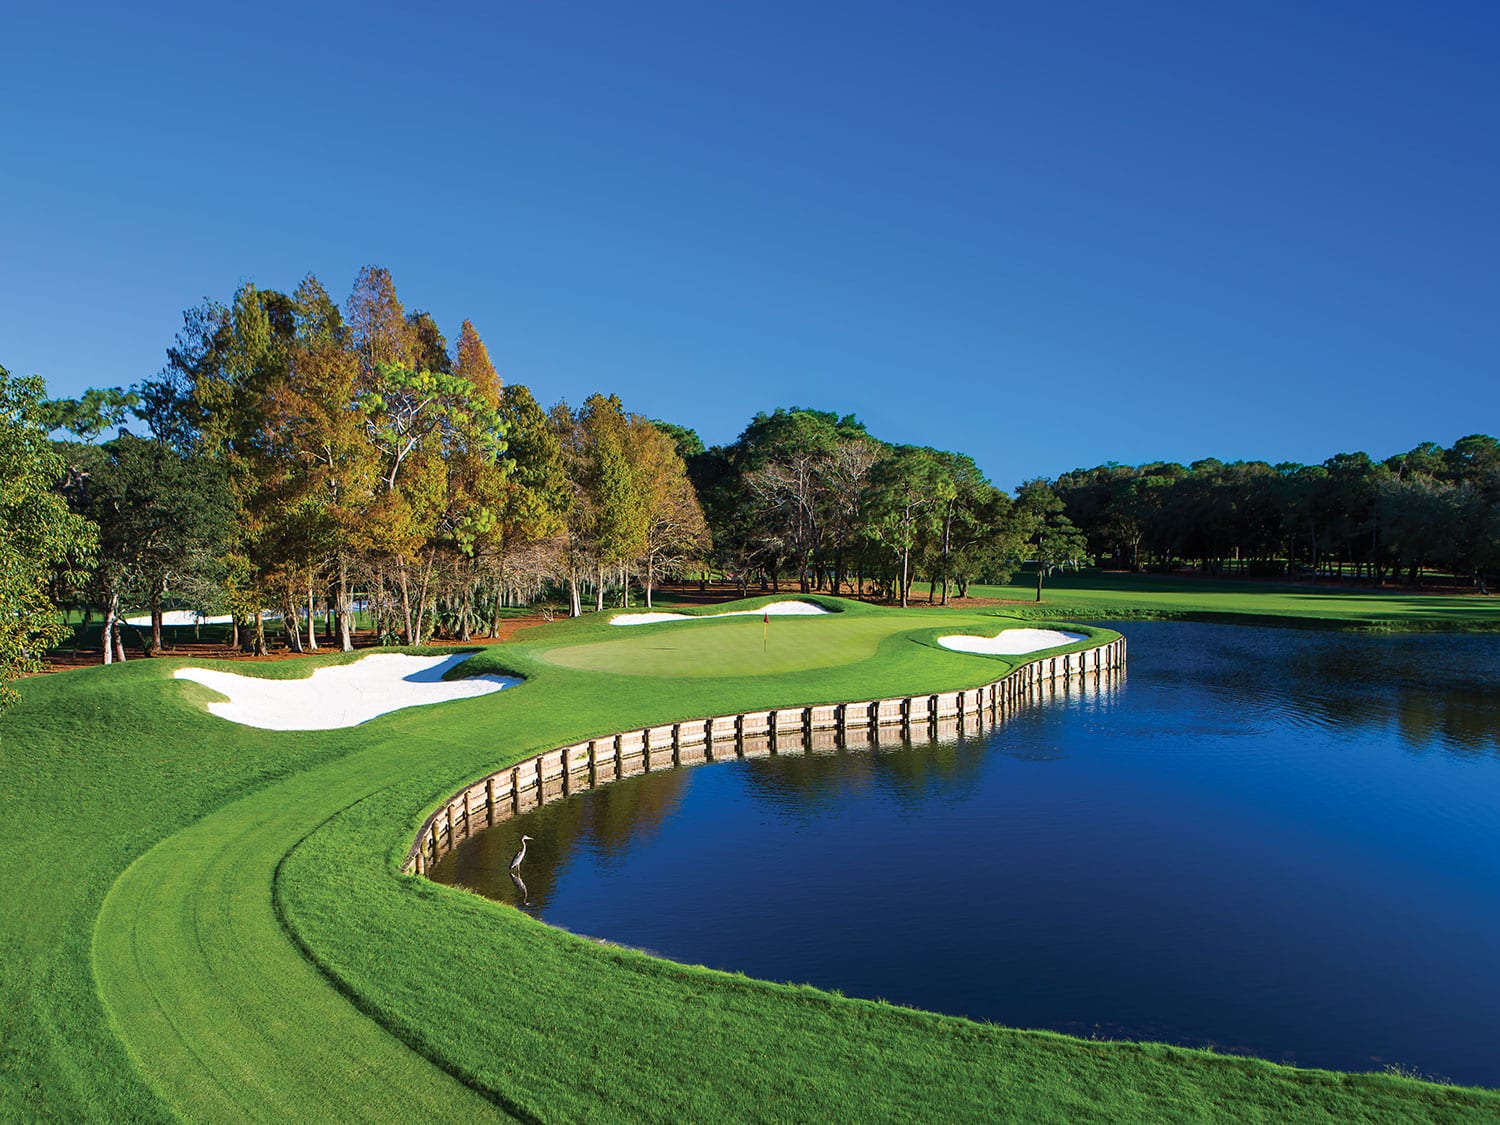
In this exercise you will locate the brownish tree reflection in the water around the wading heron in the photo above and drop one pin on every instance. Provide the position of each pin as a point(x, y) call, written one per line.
point(608, 821)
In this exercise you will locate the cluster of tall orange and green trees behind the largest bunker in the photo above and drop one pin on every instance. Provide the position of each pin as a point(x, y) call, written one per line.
point(307, 461)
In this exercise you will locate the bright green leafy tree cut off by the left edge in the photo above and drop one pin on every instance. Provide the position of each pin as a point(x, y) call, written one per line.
point(40, 535)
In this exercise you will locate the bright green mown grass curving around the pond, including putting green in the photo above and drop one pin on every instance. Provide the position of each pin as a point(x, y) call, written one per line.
point(206, 922)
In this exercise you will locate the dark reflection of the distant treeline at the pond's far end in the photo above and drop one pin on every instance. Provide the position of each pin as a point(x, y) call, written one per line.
point(1433, 692)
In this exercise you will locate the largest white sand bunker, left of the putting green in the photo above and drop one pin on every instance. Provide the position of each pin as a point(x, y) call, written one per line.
point(343, 695)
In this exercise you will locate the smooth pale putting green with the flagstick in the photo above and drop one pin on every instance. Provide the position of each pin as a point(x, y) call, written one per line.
point(736, 647)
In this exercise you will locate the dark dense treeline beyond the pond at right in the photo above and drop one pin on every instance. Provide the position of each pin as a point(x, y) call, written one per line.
point(1348, 518)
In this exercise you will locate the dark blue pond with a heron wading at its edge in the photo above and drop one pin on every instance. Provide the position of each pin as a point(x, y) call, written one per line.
point(1267, 841)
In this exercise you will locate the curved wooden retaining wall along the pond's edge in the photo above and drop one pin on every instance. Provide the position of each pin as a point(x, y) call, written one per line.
point(826, 728)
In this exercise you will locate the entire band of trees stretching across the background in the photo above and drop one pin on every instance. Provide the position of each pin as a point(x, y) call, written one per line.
point(304, 460)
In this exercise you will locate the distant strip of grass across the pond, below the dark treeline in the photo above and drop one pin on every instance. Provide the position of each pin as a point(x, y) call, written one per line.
point(1096, 595)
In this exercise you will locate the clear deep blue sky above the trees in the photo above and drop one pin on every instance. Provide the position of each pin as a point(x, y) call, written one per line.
point(1043, 235)
